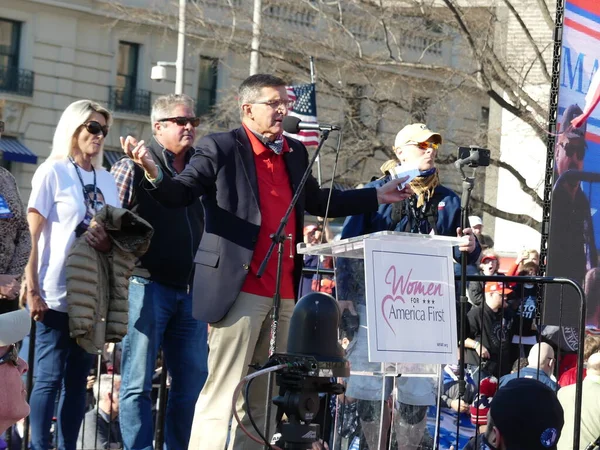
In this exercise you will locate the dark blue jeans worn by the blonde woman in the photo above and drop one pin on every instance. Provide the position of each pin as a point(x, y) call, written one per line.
point(60, 364)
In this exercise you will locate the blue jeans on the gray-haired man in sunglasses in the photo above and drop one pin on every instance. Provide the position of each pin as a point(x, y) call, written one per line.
point(159, 314)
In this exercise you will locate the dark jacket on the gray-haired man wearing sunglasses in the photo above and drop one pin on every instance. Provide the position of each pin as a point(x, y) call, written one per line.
point(177, 232)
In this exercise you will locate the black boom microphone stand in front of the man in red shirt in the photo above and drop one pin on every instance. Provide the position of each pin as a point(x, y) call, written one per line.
point(277, 240)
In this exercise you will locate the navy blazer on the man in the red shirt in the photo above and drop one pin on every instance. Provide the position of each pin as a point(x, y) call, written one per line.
point(222, 171)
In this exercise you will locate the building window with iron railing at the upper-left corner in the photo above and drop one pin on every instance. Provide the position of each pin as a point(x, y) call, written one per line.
point(12, 78)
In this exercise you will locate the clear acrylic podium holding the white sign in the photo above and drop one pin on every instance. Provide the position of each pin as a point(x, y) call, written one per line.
point(387, 405)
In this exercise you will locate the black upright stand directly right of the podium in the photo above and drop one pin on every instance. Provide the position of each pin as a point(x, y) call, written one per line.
point(467, 188)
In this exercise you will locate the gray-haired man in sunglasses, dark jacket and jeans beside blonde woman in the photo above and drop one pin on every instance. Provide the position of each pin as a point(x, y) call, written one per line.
point(160, 294)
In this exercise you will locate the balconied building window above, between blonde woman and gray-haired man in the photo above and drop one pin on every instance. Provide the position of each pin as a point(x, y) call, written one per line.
point(125, 96)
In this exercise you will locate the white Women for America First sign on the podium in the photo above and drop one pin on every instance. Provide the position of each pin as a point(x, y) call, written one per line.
point(411, 303)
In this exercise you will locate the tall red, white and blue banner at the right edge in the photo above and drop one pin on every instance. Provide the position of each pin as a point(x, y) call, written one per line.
point(575, 202)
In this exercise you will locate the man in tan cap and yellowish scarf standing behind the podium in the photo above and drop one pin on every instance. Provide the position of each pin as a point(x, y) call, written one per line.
point(433, 209)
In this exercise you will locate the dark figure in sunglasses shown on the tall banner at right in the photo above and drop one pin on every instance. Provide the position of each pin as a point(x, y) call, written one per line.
point(571, 243)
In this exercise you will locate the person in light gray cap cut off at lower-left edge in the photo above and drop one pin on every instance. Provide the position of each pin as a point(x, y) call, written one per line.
point(14, 326)
